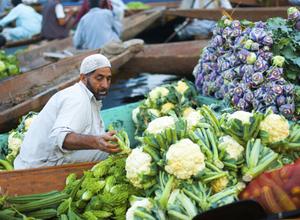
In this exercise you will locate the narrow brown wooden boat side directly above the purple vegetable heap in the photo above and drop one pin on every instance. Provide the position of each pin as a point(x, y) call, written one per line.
point(252, 14)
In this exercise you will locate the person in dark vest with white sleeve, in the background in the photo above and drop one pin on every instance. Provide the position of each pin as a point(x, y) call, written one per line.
point(54, 25)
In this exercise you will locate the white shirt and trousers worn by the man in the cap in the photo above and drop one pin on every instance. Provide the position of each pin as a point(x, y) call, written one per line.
point(73, 109)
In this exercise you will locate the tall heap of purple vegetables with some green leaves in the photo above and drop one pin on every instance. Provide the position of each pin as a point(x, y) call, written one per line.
point(243, 65)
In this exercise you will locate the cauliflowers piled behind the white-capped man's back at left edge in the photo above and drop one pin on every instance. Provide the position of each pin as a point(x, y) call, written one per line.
point(15, 139)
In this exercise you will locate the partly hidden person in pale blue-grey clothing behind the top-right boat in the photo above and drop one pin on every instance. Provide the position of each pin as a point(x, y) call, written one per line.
point(202, 27)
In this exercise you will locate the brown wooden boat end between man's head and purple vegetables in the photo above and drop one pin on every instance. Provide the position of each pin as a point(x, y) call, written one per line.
point(175, 58)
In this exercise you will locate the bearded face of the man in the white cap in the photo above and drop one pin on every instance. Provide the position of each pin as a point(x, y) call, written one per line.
point(98, 82)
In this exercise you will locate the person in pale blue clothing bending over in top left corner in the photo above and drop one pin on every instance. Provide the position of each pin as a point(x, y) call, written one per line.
point(28, 22)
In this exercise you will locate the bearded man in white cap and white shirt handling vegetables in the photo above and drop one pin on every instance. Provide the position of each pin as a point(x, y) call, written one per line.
point(69, 129)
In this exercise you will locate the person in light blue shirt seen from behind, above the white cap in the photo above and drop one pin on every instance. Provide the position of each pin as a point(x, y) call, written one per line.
point(97, 28)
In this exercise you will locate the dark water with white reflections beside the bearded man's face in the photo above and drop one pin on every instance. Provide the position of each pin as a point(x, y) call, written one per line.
point(127, 88)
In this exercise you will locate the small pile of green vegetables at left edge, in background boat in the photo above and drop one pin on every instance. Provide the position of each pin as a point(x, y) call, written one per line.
point(9, 65)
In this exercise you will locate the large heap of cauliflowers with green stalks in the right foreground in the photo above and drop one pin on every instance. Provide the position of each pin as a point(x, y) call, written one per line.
point(187, 169)
